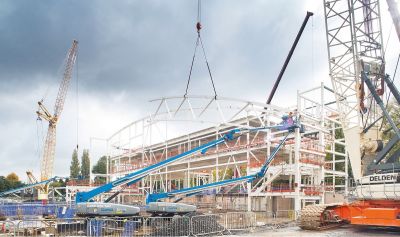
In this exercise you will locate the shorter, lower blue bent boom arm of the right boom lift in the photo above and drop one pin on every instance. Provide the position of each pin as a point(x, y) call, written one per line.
point(186, 192)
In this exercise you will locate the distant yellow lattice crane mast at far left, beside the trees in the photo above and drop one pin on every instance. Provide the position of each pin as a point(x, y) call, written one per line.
point(47, 162)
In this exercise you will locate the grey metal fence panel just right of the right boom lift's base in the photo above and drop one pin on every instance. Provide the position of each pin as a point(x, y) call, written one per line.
point(207, 224)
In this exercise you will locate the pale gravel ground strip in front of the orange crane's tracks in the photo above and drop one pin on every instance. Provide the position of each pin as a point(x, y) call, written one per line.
point(343, 231)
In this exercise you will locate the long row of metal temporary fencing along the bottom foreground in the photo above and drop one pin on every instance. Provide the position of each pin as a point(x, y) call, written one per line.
point(195, 225)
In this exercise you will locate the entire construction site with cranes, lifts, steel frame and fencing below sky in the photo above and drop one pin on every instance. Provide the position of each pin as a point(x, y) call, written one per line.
point(206, 165)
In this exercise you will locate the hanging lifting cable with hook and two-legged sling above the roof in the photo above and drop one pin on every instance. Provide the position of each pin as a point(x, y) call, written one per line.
point(199, 42)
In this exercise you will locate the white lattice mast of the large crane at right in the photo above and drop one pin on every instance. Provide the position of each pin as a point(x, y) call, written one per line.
point(353, 32)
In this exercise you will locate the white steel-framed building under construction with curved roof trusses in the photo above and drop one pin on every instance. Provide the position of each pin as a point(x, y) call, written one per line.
point(311, 167)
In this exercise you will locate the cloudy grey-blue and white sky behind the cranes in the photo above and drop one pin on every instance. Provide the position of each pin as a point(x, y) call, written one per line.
point(134, 51)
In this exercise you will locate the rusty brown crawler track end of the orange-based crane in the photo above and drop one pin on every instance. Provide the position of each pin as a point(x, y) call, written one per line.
point(317, 217)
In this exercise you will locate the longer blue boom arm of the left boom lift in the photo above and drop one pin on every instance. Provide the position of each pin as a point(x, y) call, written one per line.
point(83, 197)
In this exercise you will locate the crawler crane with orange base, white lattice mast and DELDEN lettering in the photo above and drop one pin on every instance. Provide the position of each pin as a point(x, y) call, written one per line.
point(357, 70)
